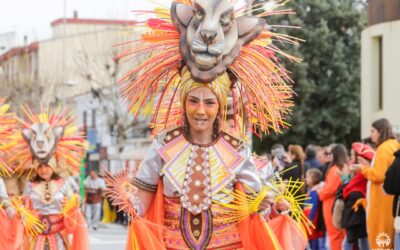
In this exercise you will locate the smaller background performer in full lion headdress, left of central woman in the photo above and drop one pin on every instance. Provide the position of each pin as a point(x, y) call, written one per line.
point(48, 147)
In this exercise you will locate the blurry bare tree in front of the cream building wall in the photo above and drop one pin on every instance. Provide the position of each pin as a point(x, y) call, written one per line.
point(100, 71)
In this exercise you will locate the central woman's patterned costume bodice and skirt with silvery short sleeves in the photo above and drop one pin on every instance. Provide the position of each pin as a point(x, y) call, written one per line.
point(193, 177)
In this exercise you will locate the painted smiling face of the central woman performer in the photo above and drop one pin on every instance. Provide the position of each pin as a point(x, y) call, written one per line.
point(201, 109)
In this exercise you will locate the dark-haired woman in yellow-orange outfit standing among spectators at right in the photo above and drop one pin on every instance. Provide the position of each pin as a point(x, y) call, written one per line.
point(379, 220)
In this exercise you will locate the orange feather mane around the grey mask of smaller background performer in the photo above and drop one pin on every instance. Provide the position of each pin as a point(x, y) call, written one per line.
point(70, 148)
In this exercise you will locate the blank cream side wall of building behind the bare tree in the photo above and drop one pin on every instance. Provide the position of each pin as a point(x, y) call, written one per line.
point(83, 62)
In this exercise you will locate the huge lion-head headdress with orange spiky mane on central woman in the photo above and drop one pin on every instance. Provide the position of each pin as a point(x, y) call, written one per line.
point(209, 41)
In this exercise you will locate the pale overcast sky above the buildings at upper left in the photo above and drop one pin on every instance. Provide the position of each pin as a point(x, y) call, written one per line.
point(33, 17)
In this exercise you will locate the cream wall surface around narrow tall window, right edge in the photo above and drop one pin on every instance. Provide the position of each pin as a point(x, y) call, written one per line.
point(390, 33)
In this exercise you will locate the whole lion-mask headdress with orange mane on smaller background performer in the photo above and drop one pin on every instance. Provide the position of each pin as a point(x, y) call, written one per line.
point(50, 137)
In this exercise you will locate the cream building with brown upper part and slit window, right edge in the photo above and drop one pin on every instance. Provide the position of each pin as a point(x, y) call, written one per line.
point(380, 60)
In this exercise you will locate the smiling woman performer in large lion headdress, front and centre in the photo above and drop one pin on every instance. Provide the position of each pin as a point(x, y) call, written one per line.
point(198, 186)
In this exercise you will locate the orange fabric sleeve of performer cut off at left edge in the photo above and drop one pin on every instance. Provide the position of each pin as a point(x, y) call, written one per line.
point(11, 231)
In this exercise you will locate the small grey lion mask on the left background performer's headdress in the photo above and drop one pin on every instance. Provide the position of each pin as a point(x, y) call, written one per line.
point(42, 140)
